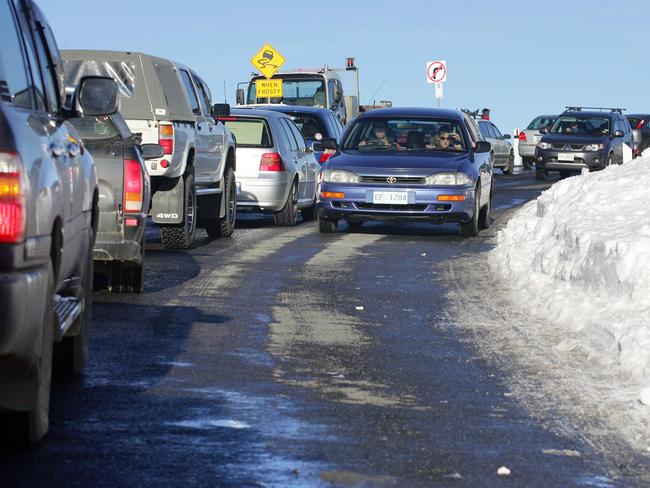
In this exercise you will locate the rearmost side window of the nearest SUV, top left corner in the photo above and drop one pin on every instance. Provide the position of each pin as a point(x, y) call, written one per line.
point(14, 69)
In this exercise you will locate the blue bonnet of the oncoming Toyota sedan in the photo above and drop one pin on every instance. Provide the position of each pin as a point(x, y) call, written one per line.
point(418, 164)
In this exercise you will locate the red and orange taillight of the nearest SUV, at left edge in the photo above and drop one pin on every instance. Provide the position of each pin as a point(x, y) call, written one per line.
point(12, 202)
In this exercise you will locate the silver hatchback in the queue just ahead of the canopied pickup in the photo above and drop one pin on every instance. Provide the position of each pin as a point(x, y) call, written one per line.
point(276, 170)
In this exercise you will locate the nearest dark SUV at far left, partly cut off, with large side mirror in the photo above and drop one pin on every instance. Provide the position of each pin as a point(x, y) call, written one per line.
point(48, 217)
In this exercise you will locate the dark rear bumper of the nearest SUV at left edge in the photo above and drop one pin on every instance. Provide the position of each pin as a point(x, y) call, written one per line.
point(22, 299)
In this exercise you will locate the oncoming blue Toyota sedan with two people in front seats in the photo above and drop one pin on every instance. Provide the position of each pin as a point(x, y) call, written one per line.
point(408, 164)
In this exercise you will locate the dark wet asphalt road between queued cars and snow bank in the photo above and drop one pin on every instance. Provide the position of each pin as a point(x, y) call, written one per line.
point(284, 357)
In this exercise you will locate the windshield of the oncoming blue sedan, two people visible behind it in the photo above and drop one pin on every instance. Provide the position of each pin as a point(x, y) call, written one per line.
point(405, 134)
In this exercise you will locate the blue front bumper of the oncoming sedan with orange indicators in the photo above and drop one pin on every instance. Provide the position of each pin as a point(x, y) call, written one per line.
point(424, 203)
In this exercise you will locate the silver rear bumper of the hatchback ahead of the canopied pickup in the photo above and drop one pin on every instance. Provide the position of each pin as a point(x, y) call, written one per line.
point(268, 194)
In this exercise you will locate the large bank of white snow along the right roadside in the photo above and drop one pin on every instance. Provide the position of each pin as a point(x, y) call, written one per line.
point(579, 256)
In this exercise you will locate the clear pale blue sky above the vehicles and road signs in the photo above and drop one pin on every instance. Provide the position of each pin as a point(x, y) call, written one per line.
point(519, 58)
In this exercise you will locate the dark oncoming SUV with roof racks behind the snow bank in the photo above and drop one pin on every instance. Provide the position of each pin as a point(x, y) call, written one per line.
point(584, 137)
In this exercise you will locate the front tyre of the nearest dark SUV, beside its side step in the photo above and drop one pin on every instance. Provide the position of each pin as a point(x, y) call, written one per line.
point(72, 352)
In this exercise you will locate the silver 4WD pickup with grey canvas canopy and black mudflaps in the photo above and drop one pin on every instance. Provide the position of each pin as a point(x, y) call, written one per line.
point(169, 104)
